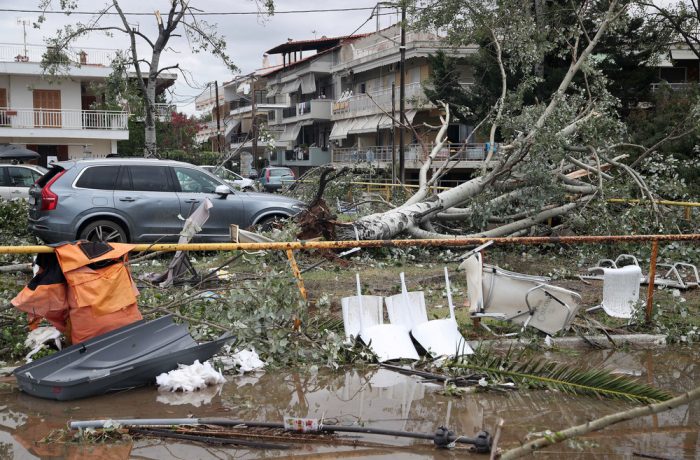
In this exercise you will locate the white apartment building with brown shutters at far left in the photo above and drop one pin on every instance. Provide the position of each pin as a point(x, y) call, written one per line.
point(56, 117)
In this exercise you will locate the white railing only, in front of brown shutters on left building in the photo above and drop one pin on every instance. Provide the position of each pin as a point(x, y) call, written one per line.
point(63, 119)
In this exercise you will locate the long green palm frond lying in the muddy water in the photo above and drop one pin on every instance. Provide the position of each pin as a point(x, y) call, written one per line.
point(539, 373)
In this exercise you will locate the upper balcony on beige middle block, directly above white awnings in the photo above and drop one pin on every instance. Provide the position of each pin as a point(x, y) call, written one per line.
point(378, 101)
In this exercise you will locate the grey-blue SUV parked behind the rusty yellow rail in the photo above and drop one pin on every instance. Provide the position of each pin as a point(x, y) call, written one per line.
point(140, 200)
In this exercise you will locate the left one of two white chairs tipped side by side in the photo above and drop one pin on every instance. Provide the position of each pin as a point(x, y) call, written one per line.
point(363, 318)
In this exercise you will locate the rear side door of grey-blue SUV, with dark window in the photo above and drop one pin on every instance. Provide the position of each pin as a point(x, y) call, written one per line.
point(146, 196)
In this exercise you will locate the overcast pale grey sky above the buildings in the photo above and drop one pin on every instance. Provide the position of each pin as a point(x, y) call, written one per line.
point(247, 36)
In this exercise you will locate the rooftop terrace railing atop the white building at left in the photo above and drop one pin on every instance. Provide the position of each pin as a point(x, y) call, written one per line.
point(14, 52)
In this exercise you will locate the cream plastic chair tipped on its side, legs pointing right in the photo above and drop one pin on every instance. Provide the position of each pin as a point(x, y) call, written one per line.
point(518, 298)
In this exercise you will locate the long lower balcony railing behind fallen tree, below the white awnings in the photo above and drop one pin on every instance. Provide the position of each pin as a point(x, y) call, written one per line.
point(413, 152)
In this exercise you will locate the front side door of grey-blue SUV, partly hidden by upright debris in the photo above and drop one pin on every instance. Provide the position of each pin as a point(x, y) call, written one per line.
point(193, 187)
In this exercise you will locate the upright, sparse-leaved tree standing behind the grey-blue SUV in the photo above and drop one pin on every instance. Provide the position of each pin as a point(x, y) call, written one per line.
point(179, 19)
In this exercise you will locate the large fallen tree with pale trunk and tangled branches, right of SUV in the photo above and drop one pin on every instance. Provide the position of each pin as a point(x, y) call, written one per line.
point(556, 154)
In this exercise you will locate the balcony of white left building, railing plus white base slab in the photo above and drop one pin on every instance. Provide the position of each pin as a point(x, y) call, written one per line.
point(93, 124)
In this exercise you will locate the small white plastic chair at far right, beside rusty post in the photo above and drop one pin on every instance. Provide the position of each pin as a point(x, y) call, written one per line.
point(620, 290)
